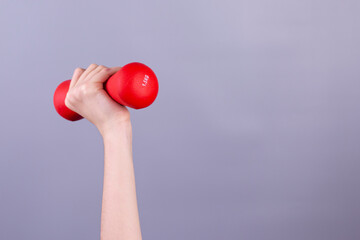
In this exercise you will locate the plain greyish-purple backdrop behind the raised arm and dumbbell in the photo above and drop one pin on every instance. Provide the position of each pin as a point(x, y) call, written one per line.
point(254, 135)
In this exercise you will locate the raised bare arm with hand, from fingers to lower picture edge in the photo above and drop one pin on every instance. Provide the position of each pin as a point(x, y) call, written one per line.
point(87, 97)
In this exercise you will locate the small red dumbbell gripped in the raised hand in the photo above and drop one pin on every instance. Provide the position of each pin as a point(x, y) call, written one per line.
point(135, 85)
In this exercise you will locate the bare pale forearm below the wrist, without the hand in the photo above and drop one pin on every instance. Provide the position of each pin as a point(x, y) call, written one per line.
point(119, 215)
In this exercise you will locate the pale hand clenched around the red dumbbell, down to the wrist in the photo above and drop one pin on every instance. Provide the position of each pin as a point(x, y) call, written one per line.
point(87, 97)
